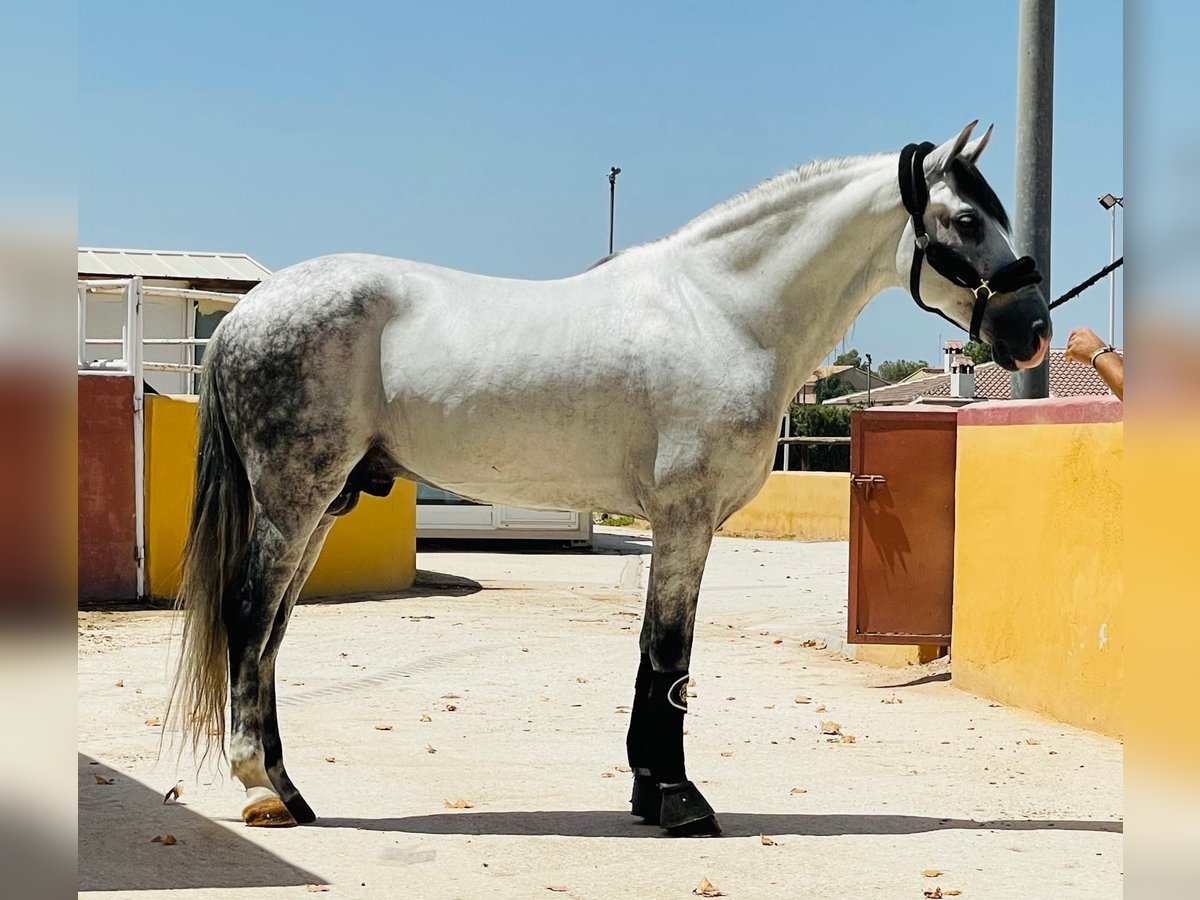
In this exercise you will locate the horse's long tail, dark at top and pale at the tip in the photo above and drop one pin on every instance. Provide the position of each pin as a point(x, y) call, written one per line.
point(218, 538)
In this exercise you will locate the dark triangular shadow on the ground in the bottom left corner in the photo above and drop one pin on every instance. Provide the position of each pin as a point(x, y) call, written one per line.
point(119, 821)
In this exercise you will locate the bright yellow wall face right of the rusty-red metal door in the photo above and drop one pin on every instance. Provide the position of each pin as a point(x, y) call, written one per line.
point(1039, 556)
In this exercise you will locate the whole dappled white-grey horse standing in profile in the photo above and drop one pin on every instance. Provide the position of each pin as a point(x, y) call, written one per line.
point(651, 385)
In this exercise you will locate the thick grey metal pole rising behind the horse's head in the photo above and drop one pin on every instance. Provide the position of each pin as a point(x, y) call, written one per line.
point(1035, 143)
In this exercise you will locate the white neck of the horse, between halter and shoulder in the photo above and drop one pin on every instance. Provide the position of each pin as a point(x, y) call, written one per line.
point(797, 259)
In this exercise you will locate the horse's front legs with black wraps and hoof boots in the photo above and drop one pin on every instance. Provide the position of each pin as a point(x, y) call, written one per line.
point(663, 795)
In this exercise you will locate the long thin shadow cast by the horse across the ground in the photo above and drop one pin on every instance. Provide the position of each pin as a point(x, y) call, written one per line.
point(607, 824)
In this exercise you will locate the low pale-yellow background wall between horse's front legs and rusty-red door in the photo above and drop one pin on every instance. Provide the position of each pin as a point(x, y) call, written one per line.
point(799, 506)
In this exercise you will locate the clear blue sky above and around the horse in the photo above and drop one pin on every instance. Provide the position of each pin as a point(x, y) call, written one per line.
point(481, 137)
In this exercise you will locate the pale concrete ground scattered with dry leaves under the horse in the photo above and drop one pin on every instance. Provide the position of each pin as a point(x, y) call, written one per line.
point(503, 681)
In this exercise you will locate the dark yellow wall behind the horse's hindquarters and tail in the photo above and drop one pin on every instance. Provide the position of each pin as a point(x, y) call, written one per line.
point(370, 551)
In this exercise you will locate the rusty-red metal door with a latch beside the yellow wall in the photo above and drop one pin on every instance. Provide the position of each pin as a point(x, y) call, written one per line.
point(902, 525)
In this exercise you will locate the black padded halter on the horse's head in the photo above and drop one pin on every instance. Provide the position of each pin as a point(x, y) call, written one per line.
point(950, 262)
